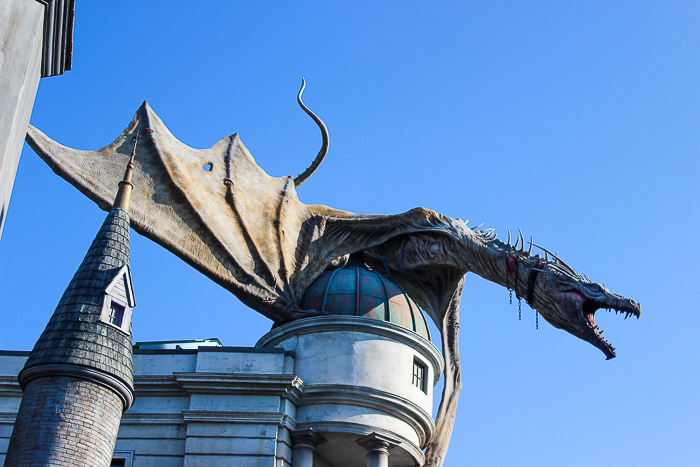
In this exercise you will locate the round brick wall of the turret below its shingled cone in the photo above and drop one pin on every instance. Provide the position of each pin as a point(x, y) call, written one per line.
point(77, 424)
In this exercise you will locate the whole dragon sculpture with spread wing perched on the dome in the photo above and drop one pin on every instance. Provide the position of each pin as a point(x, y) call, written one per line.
point(247, 231)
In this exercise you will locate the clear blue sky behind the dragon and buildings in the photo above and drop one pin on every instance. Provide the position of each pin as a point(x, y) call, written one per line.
point(577, 122)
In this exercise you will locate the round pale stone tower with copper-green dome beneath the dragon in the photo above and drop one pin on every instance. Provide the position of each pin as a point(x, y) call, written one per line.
point(368, 369)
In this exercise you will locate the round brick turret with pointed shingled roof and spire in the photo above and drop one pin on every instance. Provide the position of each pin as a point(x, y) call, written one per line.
point(78, 379)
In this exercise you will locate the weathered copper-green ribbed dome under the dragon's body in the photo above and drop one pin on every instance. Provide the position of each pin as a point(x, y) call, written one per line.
point(355, 290)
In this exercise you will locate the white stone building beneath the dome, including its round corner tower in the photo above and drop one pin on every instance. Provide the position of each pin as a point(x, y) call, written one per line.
point(331, 391)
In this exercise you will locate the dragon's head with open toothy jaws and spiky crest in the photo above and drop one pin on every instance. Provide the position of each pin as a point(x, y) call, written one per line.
point(569, 301)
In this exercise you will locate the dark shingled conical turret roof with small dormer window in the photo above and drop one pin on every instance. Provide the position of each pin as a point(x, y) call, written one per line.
point(89, 333)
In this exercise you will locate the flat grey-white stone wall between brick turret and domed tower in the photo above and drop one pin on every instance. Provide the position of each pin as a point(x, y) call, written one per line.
point(206, 407)
